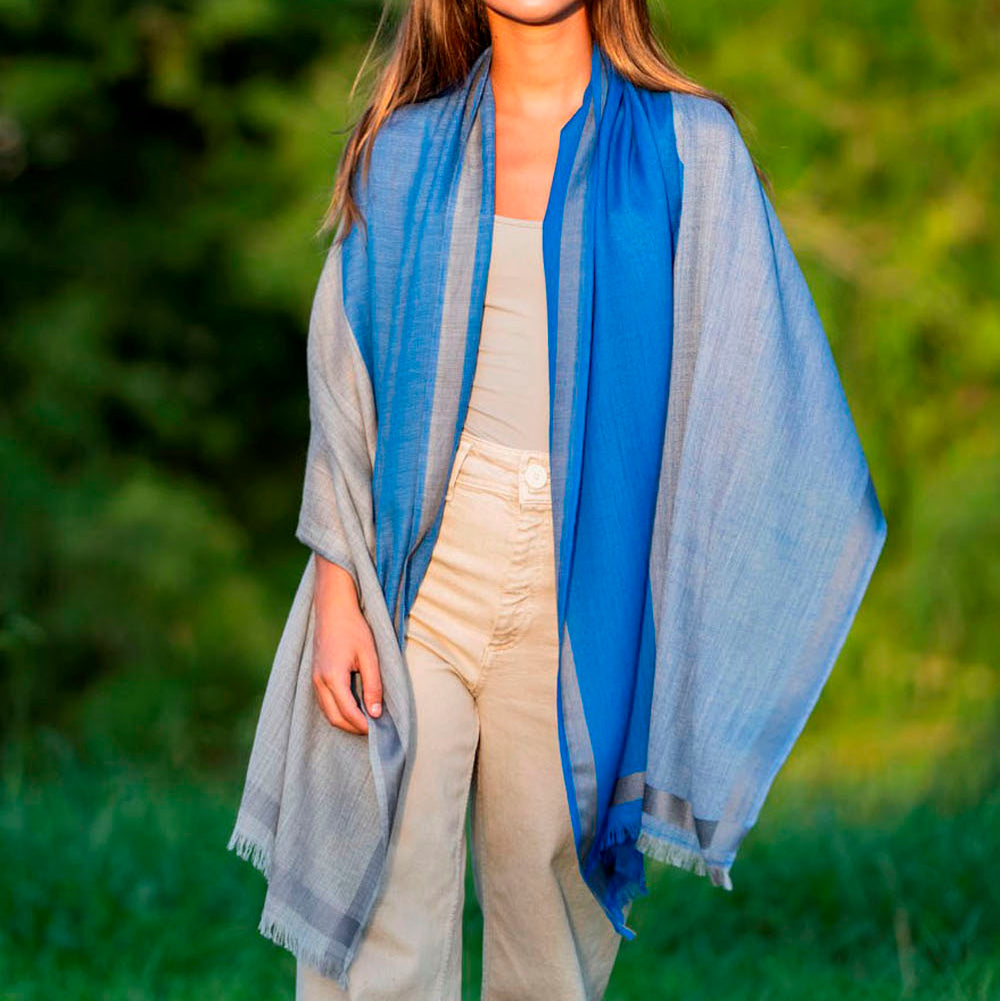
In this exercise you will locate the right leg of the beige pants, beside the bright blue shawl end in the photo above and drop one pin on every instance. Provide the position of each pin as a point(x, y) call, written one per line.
point(545, 934)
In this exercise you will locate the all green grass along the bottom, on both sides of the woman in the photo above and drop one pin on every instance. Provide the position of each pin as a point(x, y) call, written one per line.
point(118, 885)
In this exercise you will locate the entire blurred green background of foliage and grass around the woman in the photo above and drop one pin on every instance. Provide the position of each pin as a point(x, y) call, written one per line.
point(164, 168)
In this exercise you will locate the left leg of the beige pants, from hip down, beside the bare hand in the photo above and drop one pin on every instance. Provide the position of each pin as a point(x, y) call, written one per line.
point(413, 946)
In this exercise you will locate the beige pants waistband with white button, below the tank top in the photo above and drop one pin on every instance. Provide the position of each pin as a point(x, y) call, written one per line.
point(522, 474)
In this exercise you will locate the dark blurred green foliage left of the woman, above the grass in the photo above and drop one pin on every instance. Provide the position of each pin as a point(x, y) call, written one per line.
point(165, 168)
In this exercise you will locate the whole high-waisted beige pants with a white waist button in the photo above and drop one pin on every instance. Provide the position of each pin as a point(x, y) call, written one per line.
point(483, 652)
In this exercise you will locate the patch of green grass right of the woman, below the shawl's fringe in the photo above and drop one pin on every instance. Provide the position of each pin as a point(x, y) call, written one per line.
point(823, 909)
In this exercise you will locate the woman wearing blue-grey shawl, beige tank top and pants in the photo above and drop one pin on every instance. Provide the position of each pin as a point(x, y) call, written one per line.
point(590, 516)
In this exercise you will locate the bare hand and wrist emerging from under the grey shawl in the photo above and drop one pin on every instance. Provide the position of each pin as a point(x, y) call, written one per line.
point(343, 643)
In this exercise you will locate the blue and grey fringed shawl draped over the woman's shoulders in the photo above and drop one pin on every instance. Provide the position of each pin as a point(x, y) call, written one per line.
point(715, 521)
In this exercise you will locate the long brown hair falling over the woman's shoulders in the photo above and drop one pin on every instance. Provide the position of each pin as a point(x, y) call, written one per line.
point(436, 45)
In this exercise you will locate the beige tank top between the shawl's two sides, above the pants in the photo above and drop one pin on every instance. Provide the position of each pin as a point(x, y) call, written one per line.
point(510, 397)
